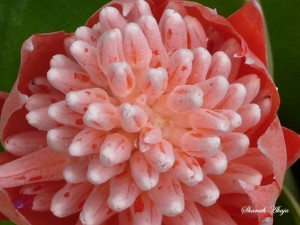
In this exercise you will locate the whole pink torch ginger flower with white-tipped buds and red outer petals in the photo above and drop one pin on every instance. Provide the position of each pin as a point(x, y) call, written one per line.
point(155, 112)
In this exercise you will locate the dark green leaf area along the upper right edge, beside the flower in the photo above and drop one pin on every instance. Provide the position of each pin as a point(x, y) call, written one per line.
point(283, 24)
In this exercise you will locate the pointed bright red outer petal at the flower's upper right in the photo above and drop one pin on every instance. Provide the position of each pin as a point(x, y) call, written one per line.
point(249, 22)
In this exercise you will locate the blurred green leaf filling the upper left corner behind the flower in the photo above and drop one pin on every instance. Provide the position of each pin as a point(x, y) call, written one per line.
point(20, 19)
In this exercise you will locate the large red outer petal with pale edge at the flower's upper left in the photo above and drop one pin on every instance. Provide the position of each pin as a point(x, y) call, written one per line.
point(35, 57)
